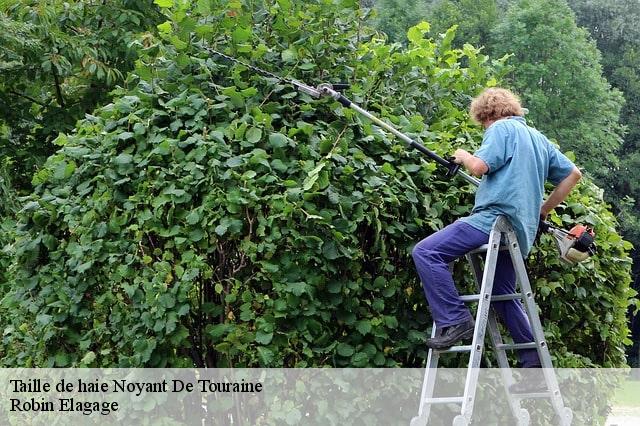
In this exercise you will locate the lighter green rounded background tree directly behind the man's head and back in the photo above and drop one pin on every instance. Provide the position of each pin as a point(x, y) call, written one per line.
point(557, 72)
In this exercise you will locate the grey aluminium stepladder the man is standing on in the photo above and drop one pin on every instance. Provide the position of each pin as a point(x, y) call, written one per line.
point(501, 238)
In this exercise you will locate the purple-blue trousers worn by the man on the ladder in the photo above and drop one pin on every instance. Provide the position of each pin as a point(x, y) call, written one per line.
point(432, 257)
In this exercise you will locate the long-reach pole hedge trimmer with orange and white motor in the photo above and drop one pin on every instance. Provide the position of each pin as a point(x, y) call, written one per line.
point(574, 246)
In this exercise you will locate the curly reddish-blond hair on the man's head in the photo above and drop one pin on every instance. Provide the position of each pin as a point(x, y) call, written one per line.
point(493, 104)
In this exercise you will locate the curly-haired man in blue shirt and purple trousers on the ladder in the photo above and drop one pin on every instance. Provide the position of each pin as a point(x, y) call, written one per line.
point(514, 161)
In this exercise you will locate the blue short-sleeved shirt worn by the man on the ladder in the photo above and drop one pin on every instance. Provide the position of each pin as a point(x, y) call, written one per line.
point(520, 160)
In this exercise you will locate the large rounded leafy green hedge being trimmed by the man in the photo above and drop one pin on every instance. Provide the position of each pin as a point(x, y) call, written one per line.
point(213, 217)
